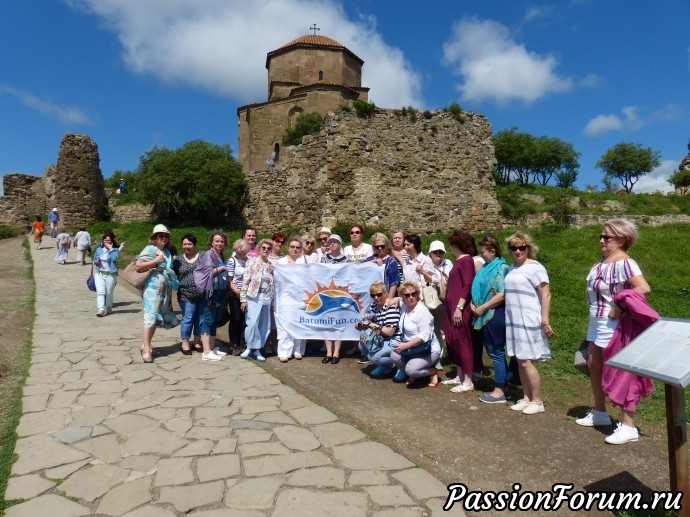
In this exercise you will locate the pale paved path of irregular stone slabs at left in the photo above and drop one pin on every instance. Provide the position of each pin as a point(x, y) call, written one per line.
point(102, 433)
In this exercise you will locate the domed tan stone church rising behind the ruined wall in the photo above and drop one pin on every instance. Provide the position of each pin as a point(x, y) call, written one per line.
point(310, 74)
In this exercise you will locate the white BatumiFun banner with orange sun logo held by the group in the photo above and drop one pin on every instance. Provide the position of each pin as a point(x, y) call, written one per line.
point(323, 301)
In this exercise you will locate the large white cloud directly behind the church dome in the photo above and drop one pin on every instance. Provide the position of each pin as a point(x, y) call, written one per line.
point(221, 45)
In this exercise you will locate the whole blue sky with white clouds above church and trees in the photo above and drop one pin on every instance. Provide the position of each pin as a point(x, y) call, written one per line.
point(134, 74)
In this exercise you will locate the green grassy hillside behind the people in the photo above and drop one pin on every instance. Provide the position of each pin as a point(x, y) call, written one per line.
point(663, 253)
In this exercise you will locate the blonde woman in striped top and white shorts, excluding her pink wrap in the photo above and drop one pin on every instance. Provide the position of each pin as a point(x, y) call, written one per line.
point(615, 272)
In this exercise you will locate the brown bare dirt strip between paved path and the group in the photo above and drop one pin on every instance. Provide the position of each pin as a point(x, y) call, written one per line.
point(485, 446)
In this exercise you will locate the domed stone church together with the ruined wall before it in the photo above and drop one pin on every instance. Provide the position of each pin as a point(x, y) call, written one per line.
point(419, 173)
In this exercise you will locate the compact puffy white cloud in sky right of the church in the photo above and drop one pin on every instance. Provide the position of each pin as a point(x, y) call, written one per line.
point(494, 67)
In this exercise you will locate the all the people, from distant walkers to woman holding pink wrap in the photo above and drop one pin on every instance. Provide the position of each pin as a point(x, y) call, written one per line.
point(482, 304)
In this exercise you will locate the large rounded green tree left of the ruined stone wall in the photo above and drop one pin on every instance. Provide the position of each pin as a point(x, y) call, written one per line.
point(199, 183)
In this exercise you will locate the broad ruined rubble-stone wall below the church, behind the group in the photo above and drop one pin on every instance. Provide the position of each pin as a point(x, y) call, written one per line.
point(423, 175)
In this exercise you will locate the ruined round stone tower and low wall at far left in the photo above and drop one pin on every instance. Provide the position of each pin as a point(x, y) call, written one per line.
point(74, 185)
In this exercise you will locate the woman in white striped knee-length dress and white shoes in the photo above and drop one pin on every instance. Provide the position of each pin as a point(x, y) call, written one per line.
point(528, 305)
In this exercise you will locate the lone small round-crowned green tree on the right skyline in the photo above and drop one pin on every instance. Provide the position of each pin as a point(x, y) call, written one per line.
point(628, 162)
